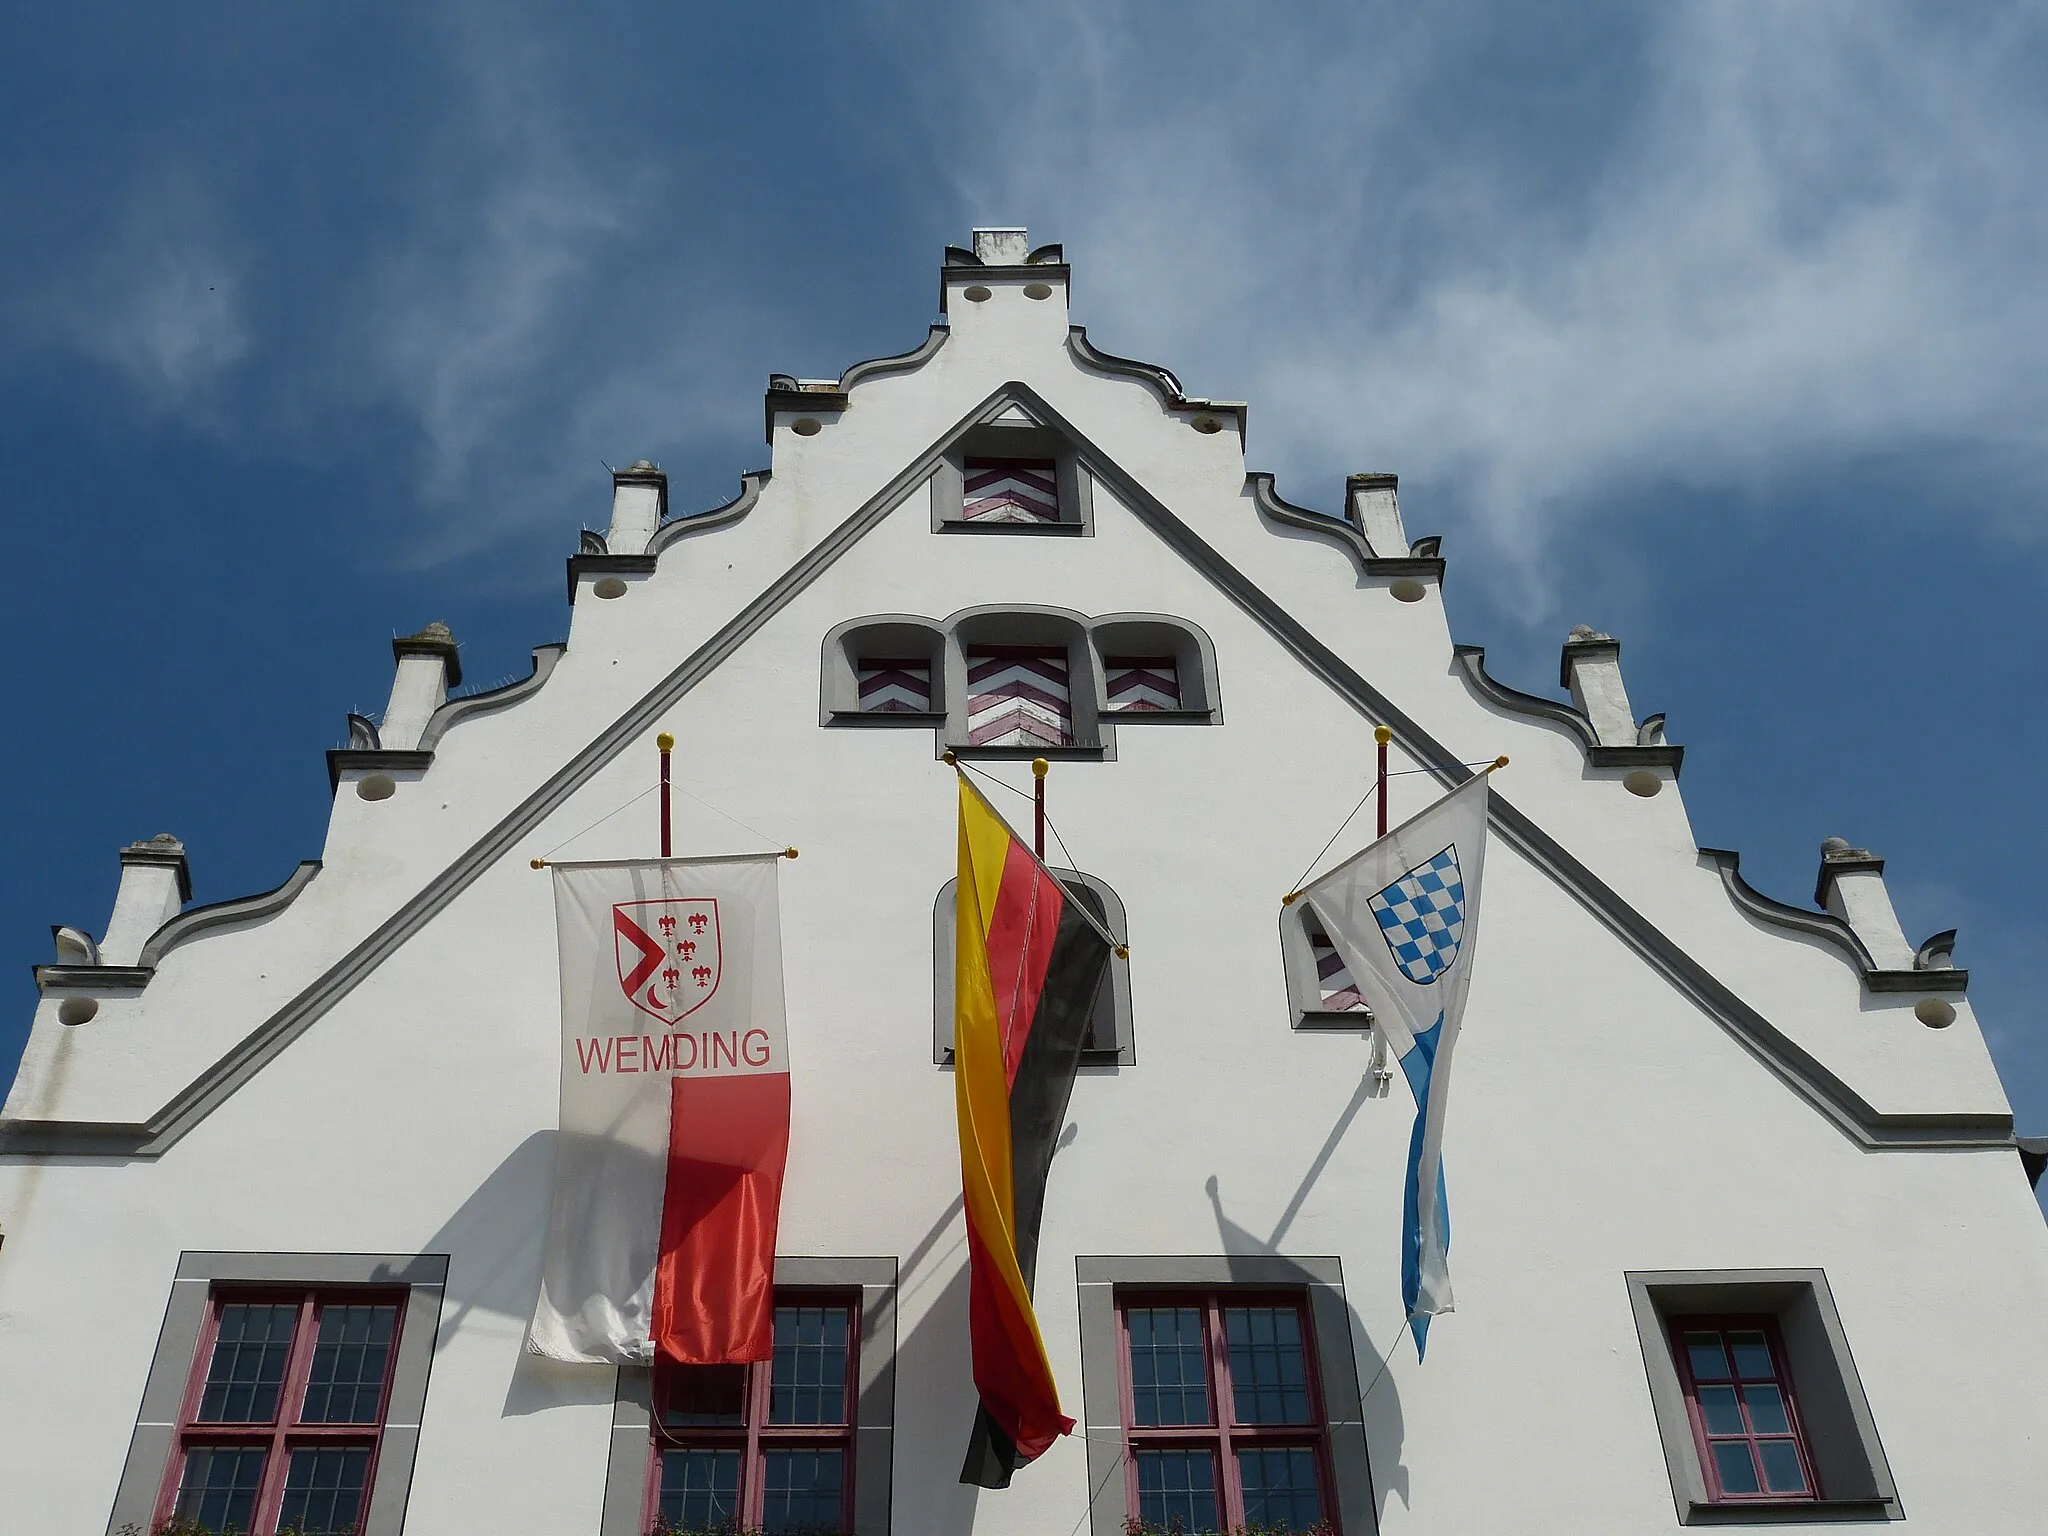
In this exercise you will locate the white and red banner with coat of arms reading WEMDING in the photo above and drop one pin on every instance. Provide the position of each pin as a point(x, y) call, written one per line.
point(675, 1113)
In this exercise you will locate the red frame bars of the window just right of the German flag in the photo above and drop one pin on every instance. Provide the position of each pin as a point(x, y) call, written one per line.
point(1224, 1437)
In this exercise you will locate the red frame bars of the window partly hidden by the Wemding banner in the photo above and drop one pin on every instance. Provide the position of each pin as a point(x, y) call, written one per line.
point(755, 1437)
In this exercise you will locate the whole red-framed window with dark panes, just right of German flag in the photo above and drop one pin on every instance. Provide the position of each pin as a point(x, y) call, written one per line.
point(1224, 1422)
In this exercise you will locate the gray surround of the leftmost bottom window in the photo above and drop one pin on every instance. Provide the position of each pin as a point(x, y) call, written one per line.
point(191, 1291)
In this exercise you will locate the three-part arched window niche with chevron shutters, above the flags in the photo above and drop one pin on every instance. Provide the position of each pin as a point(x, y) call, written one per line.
point(1021, 681)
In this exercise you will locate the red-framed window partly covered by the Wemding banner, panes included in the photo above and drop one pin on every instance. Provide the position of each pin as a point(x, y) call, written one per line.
point(763, 1447)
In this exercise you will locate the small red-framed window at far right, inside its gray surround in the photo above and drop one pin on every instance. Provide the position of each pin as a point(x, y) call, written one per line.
point(1740, 1400)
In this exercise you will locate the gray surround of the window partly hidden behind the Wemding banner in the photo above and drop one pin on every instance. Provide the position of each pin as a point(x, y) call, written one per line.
point(626, 1478)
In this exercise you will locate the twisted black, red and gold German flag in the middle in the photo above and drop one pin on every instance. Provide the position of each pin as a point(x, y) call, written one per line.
point(1029, 962)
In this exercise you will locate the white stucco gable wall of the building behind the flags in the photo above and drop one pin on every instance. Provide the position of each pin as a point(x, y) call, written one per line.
point(1601, 1123)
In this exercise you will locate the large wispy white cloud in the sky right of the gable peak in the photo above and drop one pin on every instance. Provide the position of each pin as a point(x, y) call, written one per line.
point(1791, 234)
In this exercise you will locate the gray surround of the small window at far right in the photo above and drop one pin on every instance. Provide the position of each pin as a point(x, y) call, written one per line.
point(1842, 1437)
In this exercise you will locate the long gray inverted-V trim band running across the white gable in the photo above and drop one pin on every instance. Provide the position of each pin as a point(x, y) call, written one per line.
point(1795, 1066)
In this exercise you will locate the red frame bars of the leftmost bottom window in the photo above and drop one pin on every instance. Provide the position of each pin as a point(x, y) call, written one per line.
point(284, 1431)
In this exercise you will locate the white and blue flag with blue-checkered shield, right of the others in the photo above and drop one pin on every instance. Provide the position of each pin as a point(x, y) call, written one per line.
point(1404, 914)
